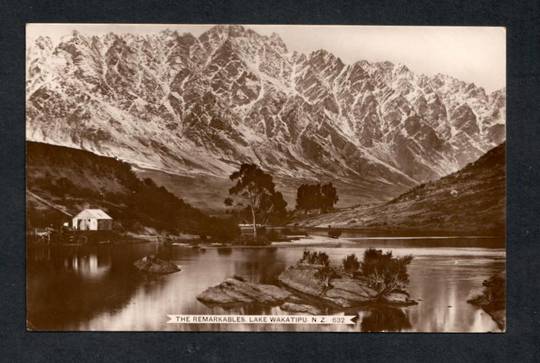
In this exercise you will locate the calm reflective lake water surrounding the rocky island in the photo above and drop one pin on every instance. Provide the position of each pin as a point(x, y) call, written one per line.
point(96, 287)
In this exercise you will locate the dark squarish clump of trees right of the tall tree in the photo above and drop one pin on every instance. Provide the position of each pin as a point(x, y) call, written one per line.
point(316, 196)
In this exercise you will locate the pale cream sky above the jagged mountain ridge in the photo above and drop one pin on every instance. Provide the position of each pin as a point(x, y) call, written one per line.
point(472, 54)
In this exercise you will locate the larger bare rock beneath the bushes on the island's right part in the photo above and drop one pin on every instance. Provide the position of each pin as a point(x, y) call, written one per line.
point(343, 290)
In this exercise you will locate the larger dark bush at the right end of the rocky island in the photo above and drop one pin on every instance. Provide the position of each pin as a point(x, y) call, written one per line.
point(384, 272)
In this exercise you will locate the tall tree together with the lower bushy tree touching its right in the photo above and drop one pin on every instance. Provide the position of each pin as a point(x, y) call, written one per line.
point(257, 192)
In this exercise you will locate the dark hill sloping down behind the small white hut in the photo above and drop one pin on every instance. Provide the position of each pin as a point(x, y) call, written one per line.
point(62, 181)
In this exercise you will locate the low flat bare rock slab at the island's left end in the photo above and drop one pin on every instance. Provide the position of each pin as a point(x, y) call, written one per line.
point(236, 291)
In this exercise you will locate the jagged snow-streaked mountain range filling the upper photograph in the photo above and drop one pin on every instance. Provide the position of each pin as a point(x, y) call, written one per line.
point(191, 105)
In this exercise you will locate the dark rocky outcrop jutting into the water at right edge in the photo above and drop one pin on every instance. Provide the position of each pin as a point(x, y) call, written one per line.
point(492, 299)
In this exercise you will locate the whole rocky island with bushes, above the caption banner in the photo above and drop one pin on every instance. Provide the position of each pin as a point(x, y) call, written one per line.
point(313, 283)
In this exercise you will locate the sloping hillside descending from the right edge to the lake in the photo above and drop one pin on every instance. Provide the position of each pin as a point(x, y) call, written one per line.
point(470, 201)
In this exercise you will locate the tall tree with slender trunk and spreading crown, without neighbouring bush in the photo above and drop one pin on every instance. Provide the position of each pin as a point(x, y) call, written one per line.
point(258, 190)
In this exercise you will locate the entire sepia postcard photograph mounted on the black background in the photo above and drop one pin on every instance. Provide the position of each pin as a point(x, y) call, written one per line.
point(299, 178)
